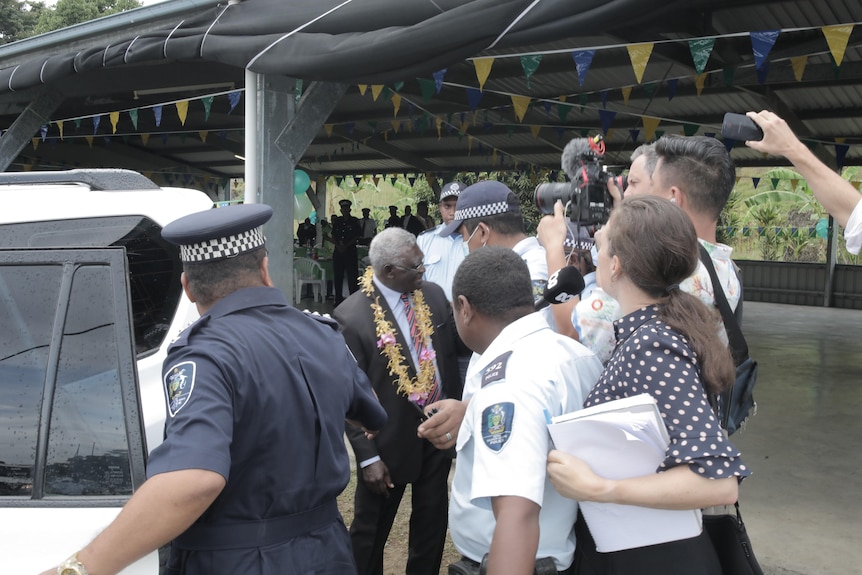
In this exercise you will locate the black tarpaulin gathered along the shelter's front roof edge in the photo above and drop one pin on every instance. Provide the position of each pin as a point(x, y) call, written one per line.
point(353, 41)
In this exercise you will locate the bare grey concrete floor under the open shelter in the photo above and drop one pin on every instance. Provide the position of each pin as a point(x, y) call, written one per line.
point(803, 504)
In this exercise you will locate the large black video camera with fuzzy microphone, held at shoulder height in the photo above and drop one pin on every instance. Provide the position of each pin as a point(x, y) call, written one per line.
point(586, 195)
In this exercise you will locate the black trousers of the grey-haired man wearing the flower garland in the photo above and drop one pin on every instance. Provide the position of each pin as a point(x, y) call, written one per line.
point(374, 515)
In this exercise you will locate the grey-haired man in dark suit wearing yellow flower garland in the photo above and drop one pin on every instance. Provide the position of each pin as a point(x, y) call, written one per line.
point(403, 336)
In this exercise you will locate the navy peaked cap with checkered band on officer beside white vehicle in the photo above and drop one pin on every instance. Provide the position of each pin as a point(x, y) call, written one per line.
point(219, 233)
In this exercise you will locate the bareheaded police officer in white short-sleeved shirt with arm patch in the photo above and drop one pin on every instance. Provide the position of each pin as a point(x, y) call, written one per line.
point(503, 510)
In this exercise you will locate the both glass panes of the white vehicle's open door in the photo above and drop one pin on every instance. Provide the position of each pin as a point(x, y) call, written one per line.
point(88, 450)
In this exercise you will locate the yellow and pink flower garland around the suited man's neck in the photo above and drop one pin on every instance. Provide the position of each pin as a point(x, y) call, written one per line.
point(415, 389)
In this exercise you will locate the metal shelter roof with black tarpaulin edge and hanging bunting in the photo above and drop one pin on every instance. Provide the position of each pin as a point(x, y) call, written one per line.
point(402, 114)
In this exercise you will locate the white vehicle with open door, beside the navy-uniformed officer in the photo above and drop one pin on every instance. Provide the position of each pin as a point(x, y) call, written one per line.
point(90, 298)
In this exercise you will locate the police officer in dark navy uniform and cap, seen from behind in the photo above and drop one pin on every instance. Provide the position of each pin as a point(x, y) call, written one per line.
point(253, 459)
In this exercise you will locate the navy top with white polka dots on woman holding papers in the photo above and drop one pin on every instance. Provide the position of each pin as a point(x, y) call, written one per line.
point(651, 357)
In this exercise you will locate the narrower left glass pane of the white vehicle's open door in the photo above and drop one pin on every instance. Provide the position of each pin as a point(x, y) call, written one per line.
point(28, 297)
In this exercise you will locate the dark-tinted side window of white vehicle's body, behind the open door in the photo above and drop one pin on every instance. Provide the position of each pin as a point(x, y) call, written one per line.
point(154, 265)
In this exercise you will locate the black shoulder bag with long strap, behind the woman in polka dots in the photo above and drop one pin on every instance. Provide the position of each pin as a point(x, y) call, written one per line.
point(736, 405)
